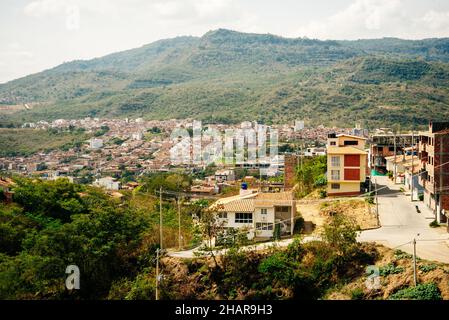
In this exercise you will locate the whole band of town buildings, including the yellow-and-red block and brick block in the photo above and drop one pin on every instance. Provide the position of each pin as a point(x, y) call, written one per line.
point(121, 150)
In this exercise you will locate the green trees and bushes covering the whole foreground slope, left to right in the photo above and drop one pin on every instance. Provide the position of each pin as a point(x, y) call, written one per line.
point(53, 224)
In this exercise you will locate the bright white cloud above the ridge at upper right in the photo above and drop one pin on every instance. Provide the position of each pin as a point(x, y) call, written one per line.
point(376, 19)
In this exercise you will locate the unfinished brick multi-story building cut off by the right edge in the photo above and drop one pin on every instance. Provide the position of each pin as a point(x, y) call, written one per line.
point(434, 174)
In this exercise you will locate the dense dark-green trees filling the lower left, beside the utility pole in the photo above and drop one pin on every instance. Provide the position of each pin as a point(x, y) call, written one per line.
point(53, 224)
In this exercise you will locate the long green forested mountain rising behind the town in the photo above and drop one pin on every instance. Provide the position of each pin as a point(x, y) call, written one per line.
point(227, 76)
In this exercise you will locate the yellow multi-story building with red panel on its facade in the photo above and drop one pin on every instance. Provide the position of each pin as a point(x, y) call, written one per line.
point(347, 165)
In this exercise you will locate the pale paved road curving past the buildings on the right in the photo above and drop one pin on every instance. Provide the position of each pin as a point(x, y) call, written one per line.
point(401, 223)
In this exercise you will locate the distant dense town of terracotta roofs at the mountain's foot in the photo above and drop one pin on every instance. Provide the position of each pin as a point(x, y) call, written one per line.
point(133, 146)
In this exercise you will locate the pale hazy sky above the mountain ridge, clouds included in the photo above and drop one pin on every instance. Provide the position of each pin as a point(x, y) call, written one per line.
point(39, 34)
